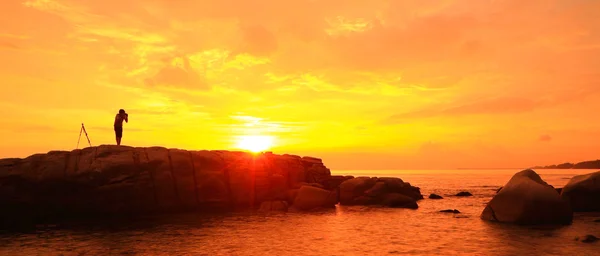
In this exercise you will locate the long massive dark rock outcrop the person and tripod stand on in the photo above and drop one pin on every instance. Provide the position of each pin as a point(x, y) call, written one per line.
point(121, 180)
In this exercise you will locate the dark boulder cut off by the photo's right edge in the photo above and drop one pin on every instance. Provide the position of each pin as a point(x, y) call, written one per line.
point(583, 192)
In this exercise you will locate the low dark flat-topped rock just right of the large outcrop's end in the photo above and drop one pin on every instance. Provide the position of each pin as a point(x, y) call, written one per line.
point(392, 192)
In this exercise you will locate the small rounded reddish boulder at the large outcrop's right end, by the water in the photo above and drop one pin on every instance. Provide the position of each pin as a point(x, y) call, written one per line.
point(310, 198)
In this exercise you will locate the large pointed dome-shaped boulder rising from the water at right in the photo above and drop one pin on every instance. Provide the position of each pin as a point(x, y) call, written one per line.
point(526, 199)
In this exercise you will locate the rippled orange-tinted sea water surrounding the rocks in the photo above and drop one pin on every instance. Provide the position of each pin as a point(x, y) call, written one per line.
point(352, 230)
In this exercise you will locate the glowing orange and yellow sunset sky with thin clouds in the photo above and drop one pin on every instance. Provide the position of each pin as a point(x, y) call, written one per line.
point(377, 84)
